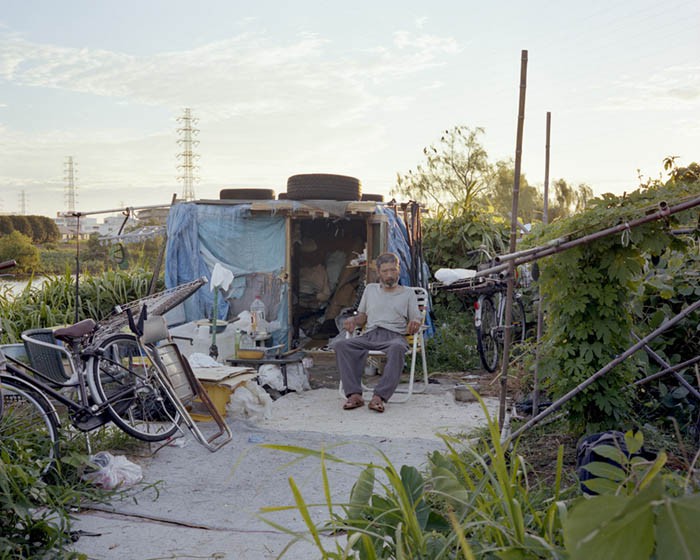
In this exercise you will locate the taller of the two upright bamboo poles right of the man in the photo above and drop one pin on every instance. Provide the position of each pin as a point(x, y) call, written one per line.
point(513, 239)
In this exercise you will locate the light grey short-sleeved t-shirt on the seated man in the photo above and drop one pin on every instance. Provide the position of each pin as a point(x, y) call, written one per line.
point(390, 310)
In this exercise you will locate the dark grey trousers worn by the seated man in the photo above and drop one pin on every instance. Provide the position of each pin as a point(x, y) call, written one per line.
point(351, 357)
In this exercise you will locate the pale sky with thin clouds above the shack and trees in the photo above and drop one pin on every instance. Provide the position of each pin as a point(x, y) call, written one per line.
point(355, 88)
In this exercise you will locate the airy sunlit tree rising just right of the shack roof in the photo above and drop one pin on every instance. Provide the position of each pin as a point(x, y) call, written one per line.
point(455, 173)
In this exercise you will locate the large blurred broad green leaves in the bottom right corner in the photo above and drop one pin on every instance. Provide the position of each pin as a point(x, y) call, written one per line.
point(638, 514)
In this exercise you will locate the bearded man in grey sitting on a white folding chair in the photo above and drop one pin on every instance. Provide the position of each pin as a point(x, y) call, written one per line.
point(389, 311)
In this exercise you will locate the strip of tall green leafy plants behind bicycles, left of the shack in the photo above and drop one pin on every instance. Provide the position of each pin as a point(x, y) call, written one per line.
point(53, 303)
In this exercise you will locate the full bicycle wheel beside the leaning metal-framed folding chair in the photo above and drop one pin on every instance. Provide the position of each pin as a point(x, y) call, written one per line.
point(123, 378)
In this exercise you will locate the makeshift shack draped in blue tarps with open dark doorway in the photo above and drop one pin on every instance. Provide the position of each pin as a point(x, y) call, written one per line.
point(306, 259)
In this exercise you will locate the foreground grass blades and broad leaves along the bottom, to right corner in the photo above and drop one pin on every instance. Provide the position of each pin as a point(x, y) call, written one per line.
point(480, 501)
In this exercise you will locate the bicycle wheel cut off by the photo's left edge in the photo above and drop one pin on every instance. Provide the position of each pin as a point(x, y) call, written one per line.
point(29, 427)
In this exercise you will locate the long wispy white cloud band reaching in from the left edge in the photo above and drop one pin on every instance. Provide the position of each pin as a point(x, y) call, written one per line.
point(246, 74)
